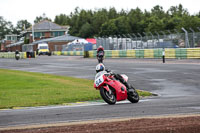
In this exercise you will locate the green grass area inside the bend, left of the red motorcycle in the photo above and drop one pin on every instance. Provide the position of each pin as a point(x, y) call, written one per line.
point(27, 89)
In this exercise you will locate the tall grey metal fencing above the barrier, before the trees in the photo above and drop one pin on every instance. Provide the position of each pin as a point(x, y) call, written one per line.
point(150, 41)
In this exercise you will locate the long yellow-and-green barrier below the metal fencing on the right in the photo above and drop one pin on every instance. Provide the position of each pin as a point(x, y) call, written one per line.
point(182, 53)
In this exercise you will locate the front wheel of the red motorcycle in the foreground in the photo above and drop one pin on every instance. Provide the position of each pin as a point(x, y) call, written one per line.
point(107, 96)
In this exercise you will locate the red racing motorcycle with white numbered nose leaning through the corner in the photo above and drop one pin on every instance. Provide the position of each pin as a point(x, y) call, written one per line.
point(112, 90)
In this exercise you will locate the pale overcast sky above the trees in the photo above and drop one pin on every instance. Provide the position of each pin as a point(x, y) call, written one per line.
point(15, 10)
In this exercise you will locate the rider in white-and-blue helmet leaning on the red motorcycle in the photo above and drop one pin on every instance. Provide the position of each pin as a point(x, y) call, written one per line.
point(100, 67)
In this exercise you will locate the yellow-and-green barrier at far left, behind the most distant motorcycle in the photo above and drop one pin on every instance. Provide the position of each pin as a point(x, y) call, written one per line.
point(12, 55)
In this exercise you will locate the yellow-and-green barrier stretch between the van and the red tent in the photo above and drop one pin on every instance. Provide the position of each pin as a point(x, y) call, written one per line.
point(69, 53)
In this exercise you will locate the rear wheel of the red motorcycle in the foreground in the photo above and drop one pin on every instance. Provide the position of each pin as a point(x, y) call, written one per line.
point(133, 96)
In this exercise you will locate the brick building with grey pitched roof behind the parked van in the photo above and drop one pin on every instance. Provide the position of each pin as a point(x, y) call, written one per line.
point(43, 32)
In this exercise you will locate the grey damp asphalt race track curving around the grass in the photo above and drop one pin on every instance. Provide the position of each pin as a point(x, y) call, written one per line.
point(177, 82)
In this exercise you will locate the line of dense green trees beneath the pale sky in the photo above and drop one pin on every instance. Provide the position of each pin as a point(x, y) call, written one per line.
point(110, 22)
